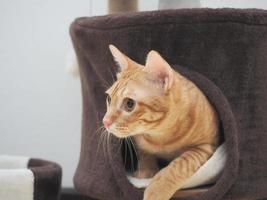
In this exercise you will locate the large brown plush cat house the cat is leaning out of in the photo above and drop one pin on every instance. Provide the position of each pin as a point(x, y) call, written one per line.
point(223, 51)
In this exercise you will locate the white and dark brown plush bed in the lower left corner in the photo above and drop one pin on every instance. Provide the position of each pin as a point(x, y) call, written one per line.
point(23, 178)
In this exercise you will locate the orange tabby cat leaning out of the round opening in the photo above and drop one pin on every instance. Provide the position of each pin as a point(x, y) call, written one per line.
point(166, 115)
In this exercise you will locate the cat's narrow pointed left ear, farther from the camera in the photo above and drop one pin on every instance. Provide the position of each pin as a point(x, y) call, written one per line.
point(119, 57)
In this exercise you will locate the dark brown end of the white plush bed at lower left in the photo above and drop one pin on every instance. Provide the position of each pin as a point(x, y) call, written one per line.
point(47, 179)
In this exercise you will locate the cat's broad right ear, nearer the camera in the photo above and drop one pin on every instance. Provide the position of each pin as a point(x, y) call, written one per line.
point(156, 65)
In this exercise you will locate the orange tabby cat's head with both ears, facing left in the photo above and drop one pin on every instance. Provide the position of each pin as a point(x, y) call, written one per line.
point(138, 101)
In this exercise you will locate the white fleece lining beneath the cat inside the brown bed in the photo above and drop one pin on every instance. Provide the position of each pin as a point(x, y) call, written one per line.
point(206, 174)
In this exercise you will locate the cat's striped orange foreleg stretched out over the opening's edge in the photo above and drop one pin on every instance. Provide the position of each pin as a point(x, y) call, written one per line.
point(171, 178)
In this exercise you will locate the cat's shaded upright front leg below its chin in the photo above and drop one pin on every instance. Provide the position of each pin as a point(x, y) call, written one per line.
point(147, 165)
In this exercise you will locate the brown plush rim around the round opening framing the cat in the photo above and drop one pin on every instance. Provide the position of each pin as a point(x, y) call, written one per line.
point(226, 116)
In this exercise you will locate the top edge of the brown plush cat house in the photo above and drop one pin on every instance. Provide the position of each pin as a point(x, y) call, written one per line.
point(236, 15)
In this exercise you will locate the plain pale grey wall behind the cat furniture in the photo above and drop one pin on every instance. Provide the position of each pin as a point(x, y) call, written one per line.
point(40, 103)
